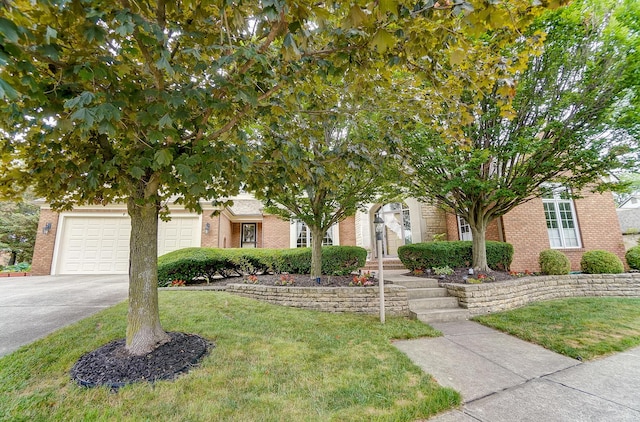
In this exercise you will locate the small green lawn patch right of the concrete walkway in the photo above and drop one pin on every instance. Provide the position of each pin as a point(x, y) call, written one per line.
point(583, 328)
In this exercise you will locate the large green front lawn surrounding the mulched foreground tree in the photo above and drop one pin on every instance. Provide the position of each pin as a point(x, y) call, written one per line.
point(270, 363)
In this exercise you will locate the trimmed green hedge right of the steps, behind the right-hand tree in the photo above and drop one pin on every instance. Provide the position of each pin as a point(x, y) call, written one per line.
point(455, 254)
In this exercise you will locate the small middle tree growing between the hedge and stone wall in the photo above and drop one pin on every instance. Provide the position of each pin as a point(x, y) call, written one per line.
point(323, 161)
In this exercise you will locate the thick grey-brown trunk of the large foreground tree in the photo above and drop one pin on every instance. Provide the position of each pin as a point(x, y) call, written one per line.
point(144, 332)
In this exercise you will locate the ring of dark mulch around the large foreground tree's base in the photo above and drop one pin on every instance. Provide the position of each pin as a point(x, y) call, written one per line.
point(113, 366)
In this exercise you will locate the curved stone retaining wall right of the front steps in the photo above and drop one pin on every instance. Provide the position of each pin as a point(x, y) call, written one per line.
point(494, 297)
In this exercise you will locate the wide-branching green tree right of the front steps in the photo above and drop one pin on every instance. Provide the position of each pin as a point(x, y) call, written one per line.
point(545, 119)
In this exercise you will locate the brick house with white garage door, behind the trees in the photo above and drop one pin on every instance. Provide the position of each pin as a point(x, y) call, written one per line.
point(95, 239)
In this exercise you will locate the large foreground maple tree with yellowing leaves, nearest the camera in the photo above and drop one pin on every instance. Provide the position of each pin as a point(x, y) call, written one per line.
point(140, 101)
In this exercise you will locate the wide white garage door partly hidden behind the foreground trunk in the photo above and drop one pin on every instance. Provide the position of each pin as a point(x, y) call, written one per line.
point(100, 245)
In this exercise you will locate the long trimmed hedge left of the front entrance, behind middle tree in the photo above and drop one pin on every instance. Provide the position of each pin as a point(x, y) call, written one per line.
point(191, 264)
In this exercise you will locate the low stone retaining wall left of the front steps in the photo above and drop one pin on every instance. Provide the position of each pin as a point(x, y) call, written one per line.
point(363, 300)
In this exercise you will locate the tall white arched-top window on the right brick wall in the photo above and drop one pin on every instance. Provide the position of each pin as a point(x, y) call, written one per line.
point(562, 225)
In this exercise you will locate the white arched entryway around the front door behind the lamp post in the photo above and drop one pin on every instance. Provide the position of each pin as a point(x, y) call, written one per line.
point(397, 227)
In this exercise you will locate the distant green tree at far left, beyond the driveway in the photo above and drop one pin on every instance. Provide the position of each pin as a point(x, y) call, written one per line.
point(18, 225)
